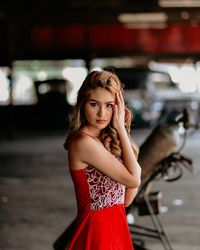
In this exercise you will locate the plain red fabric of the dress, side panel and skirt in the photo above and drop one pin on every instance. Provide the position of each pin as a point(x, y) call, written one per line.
point(104, 229)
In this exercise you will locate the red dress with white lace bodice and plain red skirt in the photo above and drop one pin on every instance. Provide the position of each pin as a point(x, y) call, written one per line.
point(101, 222)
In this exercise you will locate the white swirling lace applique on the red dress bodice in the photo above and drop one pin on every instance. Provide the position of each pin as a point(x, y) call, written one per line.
point(104, 192)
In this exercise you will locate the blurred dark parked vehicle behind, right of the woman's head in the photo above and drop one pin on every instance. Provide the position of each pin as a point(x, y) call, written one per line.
point(152, 96)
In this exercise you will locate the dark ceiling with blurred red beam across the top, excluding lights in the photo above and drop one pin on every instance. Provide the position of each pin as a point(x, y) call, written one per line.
point(86, 28)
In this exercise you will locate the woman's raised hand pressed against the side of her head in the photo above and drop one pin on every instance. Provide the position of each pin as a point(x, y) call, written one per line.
point(119, 112)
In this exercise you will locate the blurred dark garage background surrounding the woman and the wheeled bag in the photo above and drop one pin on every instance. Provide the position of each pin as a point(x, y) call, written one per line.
point(46, 50)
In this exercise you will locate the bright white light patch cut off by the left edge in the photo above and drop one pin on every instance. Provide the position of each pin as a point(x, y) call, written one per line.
point(4, 88)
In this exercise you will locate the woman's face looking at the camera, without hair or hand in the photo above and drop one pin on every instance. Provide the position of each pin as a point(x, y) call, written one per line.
point(98, 108)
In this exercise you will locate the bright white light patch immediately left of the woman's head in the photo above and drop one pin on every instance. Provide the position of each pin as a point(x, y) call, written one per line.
point(75, 76)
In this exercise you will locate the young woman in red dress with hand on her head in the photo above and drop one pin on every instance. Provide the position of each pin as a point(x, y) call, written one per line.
point(103, 164)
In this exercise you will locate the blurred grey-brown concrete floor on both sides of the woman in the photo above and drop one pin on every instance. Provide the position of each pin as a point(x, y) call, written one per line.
point(37, 198)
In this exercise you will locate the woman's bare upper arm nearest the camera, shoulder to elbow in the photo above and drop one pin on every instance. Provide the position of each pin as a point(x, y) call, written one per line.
point(86, 151)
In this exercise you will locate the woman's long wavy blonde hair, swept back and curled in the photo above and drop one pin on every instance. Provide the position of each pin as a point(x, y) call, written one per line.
point(109, 136)
